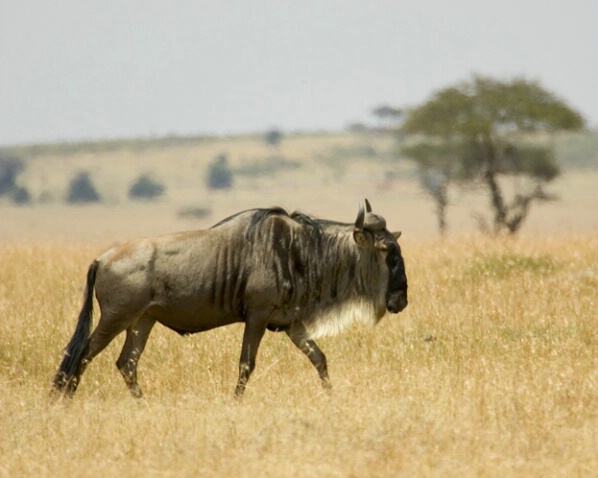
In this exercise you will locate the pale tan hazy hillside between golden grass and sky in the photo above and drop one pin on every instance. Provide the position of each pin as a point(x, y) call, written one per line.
point(320, 173)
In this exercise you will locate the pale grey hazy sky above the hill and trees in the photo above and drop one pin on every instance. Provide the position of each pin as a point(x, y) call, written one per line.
point(72, 69)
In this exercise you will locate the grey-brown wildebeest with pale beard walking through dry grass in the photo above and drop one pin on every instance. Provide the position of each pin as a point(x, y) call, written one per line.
point(265, 267)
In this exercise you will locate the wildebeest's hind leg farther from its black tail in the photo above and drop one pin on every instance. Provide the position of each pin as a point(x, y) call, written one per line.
point(133, 347)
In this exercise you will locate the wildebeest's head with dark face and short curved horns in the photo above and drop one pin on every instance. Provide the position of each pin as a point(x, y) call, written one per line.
point(370, 232)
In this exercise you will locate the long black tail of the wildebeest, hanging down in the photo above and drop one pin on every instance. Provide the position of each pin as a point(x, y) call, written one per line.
point(79, 342)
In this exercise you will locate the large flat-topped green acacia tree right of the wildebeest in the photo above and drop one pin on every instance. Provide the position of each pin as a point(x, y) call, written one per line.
point(485, 131)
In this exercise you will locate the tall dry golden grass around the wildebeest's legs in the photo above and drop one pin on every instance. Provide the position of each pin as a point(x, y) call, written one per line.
point(492, 370)
